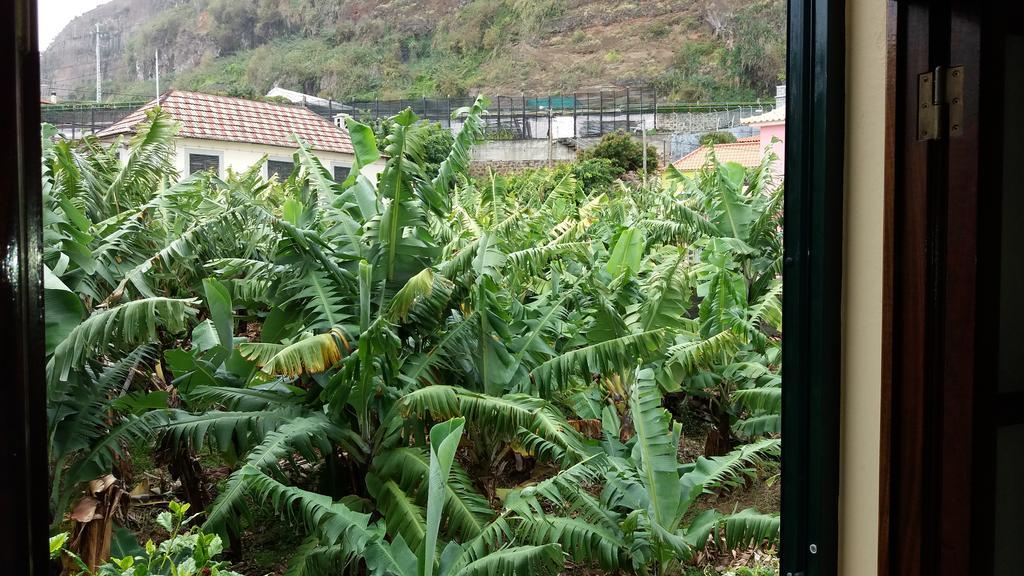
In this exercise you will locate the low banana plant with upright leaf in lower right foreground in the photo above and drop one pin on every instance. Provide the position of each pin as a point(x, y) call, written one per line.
point(636, 522)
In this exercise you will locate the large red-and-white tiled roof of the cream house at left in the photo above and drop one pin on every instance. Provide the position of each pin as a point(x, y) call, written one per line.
point(230, 119)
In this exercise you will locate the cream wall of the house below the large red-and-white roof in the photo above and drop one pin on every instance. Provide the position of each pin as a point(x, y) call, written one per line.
point(240, 156)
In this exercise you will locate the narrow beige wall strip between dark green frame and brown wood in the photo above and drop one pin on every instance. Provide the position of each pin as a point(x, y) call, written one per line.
point(863, 287)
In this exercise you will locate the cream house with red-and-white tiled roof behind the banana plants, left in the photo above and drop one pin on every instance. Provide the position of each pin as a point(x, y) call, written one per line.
point(222, 133)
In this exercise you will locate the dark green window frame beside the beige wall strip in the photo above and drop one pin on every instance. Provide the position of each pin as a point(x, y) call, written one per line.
point(814, 281)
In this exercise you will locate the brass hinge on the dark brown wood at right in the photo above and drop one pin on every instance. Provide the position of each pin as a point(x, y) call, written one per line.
point(941, 103)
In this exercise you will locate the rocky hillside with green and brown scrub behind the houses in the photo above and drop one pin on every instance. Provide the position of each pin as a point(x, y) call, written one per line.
point(690, 50)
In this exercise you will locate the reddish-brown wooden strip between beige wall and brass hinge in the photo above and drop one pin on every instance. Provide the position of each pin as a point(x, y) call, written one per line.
point(908, 413)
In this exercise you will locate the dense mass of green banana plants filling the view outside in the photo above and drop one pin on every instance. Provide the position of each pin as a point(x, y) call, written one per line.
point(311, 333)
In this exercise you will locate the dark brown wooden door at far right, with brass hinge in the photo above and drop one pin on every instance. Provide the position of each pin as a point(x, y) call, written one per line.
point(952, 437)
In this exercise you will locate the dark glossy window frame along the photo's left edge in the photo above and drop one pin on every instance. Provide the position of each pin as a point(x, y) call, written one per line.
point(23, 434)
